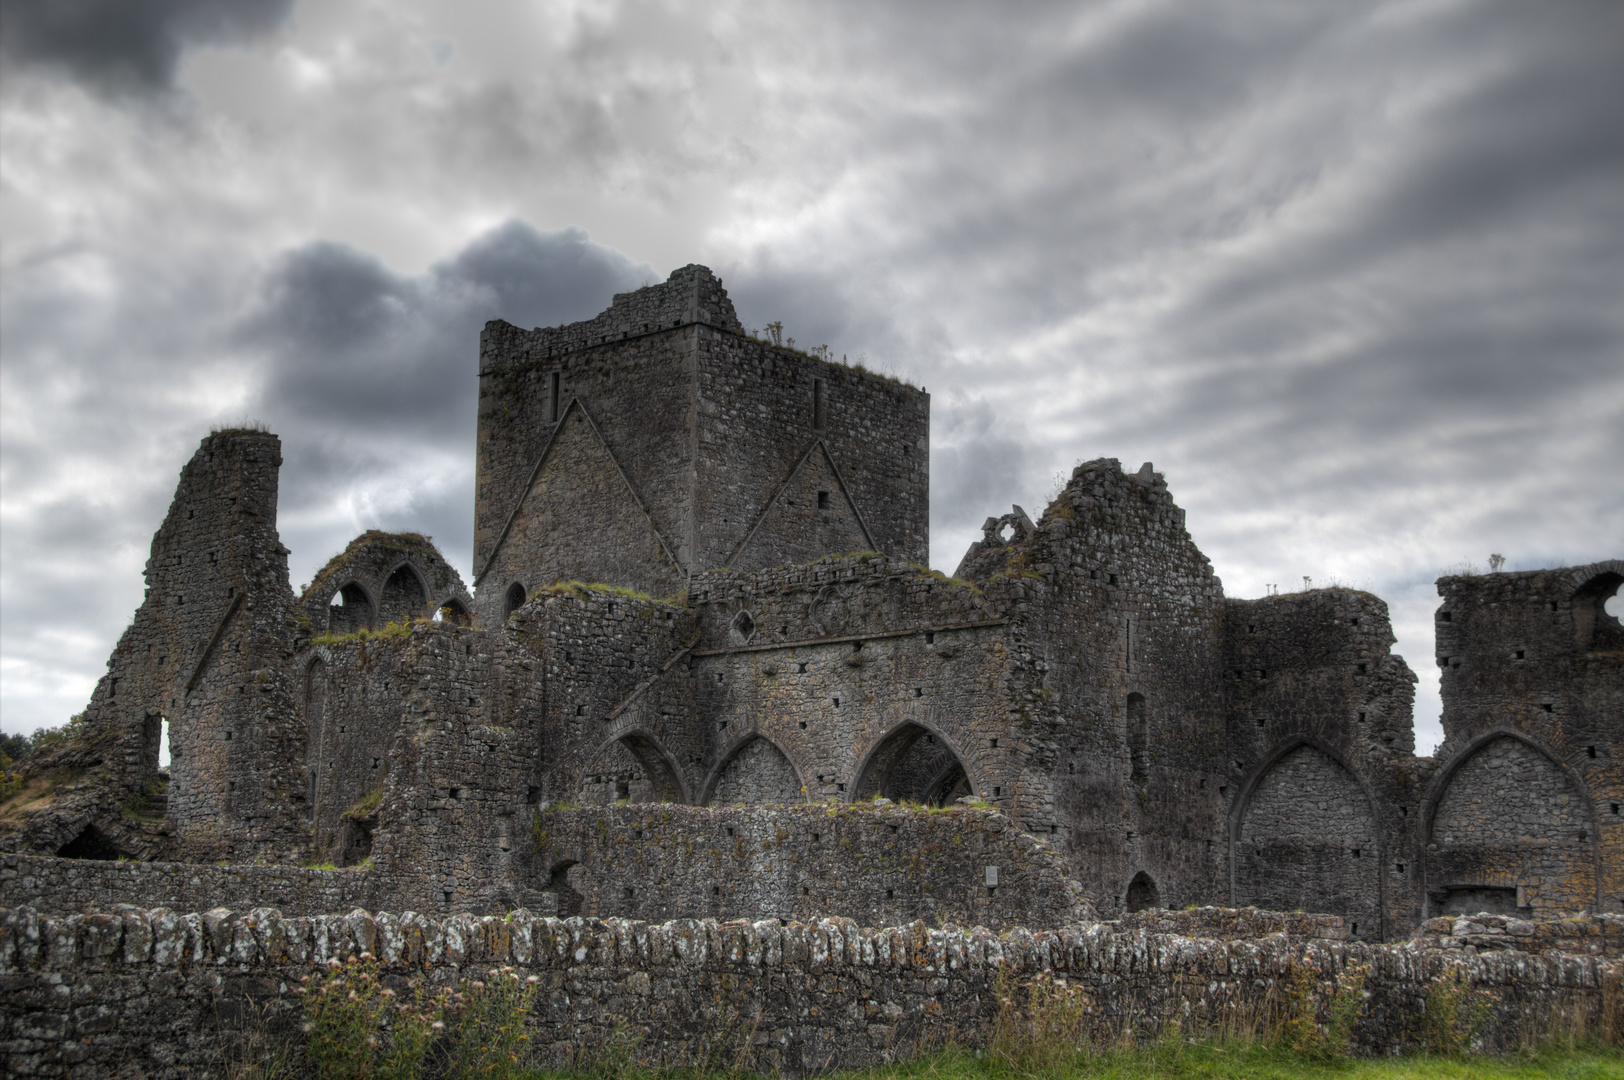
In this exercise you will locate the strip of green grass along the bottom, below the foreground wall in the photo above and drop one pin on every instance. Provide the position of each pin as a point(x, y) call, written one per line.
point(1175, 1060)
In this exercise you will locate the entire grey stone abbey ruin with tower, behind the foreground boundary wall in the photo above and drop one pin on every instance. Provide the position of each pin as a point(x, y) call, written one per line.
point(704, 672)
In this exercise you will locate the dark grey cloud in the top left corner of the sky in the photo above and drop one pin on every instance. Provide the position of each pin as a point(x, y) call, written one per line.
point(127, 45)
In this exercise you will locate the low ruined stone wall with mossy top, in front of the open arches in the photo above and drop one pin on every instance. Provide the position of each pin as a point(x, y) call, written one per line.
point(878, 865)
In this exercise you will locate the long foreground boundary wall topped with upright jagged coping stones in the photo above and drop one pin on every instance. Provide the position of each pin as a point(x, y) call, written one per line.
point(101, 993)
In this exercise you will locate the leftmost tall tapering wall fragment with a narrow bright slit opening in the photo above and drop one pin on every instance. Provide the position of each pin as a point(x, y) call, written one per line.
point(209, 652)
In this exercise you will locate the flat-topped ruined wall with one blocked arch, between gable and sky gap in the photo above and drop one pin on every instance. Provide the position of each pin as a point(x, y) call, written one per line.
point(1324, 795)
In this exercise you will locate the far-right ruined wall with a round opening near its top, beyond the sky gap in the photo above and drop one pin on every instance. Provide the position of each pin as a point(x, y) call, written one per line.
point(1535, 655)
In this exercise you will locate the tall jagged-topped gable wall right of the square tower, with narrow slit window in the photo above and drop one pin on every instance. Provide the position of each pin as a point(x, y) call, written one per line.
point(1116, 693)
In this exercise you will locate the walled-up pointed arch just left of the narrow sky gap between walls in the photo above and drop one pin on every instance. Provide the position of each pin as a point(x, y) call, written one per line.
point(1305, 836)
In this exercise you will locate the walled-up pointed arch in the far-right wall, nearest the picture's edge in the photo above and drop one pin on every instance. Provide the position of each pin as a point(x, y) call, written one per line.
point(1505, 814)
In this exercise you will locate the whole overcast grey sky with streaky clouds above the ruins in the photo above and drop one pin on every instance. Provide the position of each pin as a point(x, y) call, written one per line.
point(1352, 275)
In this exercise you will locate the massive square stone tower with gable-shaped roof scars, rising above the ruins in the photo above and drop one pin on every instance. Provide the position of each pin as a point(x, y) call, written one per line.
point(659, 441)
